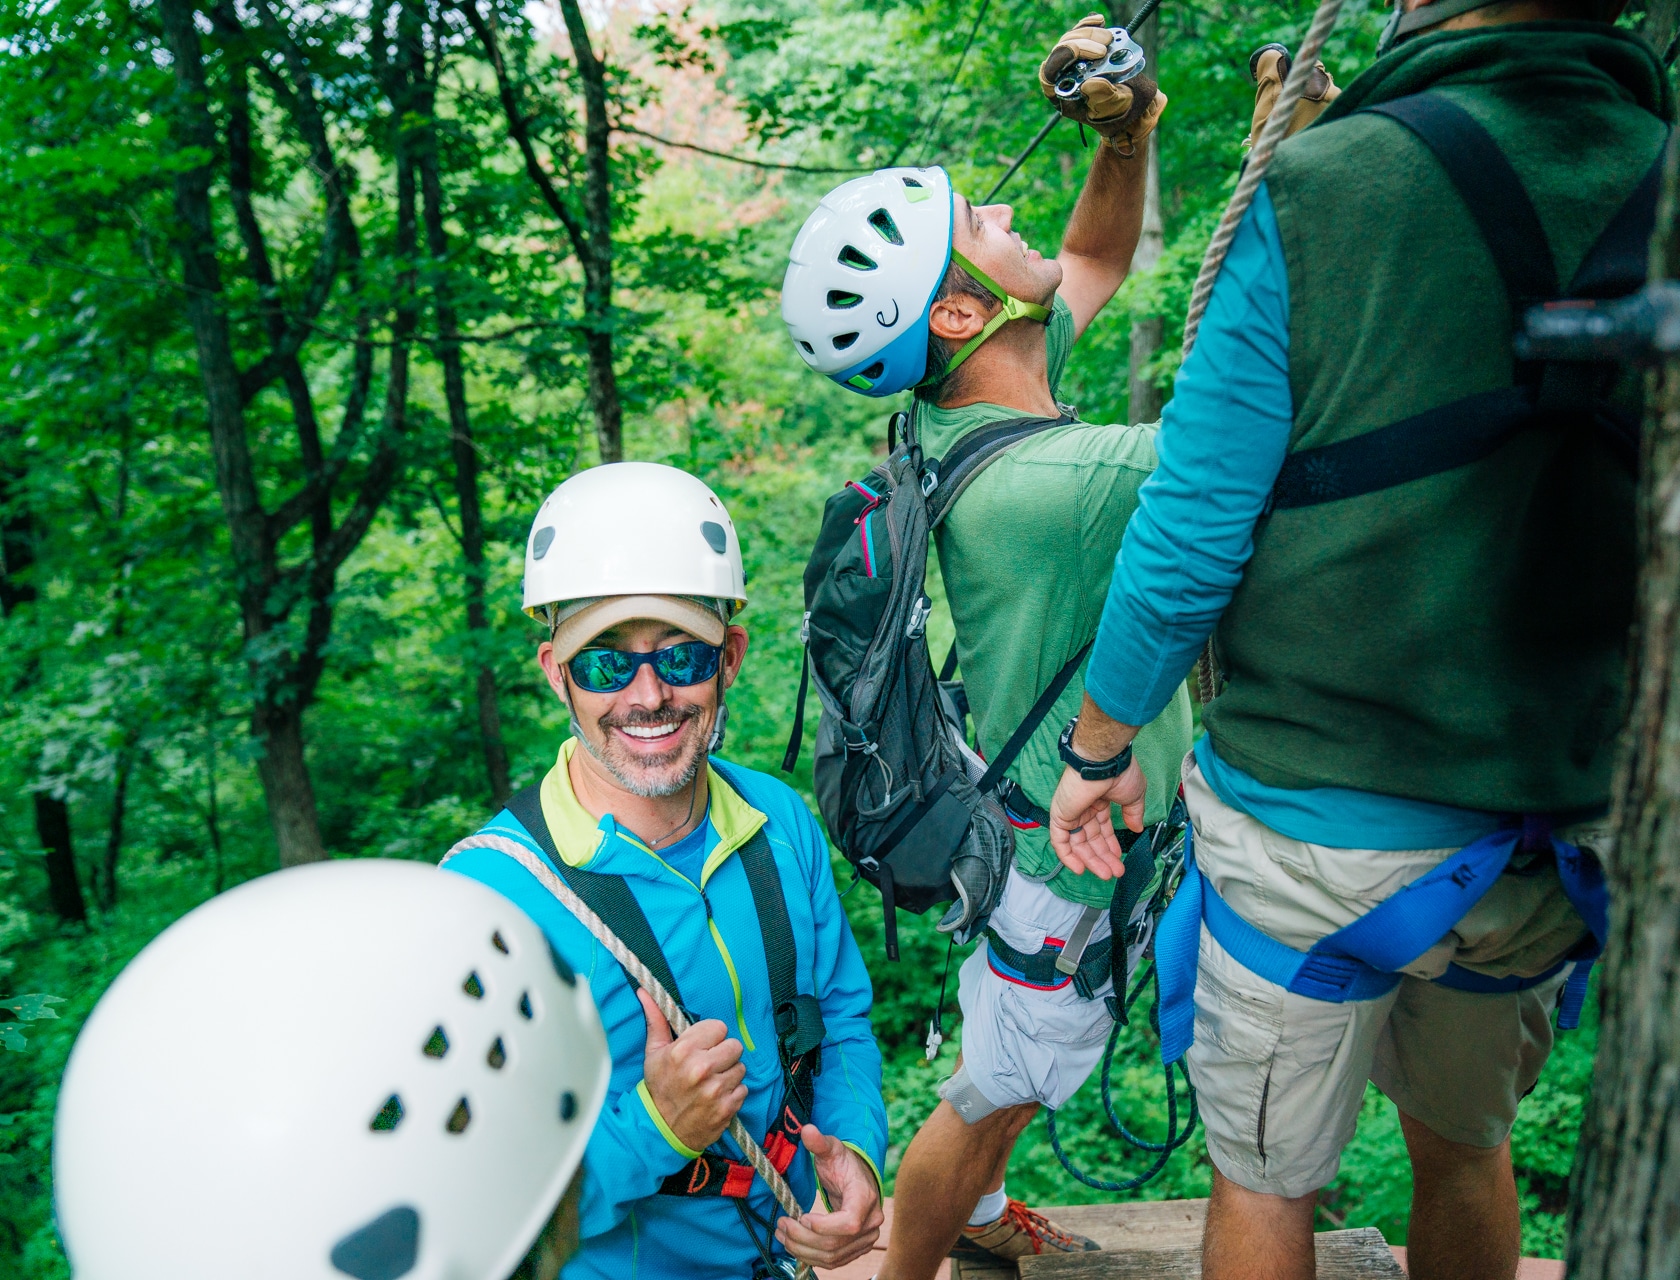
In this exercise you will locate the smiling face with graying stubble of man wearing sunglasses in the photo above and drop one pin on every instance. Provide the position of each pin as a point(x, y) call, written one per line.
point(651, 737)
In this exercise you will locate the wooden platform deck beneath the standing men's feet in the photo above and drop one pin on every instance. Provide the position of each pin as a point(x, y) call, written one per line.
point(1162, 1241)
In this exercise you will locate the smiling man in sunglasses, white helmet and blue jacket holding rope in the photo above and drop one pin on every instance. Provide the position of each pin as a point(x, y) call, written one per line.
point(717, 876)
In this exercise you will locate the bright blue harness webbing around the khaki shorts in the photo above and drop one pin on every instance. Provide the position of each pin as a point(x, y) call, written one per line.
point(1363, 960)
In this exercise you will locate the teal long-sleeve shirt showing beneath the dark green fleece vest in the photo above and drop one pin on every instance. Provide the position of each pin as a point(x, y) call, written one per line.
point(1222, 444)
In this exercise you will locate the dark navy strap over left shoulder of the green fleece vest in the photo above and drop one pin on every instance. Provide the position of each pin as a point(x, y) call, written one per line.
point(1491, 191)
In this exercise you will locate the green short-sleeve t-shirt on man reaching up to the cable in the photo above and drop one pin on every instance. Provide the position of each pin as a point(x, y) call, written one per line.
point(1027, 555)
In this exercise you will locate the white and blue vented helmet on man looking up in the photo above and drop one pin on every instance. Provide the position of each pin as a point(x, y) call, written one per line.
point(863, 275)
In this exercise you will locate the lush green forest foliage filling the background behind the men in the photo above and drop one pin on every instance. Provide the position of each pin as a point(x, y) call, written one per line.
point(125, 671)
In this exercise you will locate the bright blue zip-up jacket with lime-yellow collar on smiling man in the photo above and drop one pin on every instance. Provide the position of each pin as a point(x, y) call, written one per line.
point(629, 1229)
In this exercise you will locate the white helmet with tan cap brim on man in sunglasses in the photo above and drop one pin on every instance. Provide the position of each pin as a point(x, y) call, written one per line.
point(633, 540)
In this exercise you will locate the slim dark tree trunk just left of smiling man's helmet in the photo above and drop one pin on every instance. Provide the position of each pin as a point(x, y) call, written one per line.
point(466, 463)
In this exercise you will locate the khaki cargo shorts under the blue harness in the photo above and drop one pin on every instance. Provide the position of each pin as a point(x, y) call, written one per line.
point(1281, 1078)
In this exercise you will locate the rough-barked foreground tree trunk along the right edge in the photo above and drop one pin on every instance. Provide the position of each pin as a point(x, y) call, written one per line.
point(1625, 1193)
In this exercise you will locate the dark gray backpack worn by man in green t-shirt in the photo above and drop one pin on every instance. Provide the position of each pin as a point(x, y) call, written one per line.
point(911, 807)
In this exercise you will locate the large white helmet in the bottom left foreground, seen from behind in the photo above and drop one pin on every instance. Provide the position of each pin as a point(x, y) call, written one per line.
point(357, 1069)
